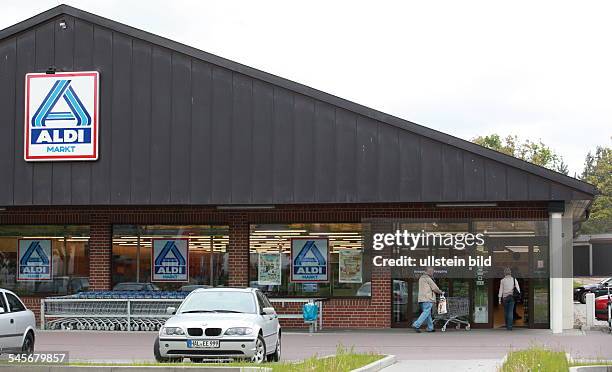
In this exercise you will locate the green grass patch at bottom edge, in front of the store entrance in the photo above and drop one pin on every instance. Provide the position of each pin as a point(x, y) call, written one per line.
point(535, 359)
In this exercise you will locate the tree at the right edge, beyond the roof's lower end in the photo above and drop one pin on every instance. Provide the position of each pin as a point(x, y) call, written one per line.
point(598, 171)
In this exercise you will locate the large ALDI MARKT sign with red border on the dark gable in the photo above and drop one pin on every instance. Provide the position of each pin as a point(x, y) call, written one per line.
point(61, 116)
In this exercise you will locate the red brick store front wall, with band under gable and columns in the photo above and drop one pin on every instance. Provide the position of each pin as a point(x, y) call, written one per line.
point(374, 312)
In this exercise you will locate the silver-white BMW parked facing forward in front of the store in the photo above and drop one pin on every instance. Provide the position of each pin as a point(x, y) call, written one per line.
point(221, 323)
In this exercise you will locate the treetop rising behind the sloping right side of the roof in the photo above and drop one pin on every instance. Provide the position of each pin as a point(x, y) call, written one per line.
point(535, 152)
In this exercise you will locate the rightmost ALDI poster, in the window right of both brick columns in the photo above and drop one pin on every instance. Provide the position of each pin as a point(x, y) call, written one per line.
point(309, 260)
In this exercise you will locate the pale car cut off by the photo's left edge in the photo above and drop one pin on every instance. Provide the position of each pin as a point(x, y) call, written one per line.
point(17, 325)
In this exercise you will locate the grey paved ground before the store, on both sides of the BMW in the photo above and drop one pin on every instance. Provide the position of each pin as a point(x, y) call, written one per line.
point(451, 345)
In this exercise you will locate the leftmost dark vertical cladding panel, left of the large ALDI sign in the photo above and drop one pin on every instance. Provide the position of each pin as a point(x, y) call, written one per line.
point(8, 65)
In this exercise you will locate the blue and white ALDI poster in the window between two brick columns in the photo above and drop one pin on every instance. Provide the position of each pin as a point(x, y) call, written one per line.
point(170, 260)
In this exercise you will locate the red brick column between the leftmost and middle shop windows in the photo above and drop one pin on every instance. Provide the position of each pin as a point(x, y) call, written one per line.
point(100, 252)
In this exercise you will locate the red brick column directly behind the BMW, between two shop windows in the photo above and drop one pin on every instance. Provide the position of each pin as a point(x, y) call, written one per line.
point(238, 250)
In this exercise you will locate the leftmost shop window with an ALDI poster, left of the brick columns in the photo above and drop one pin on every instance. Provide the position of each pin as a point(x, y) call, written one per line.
point(66, 272)
